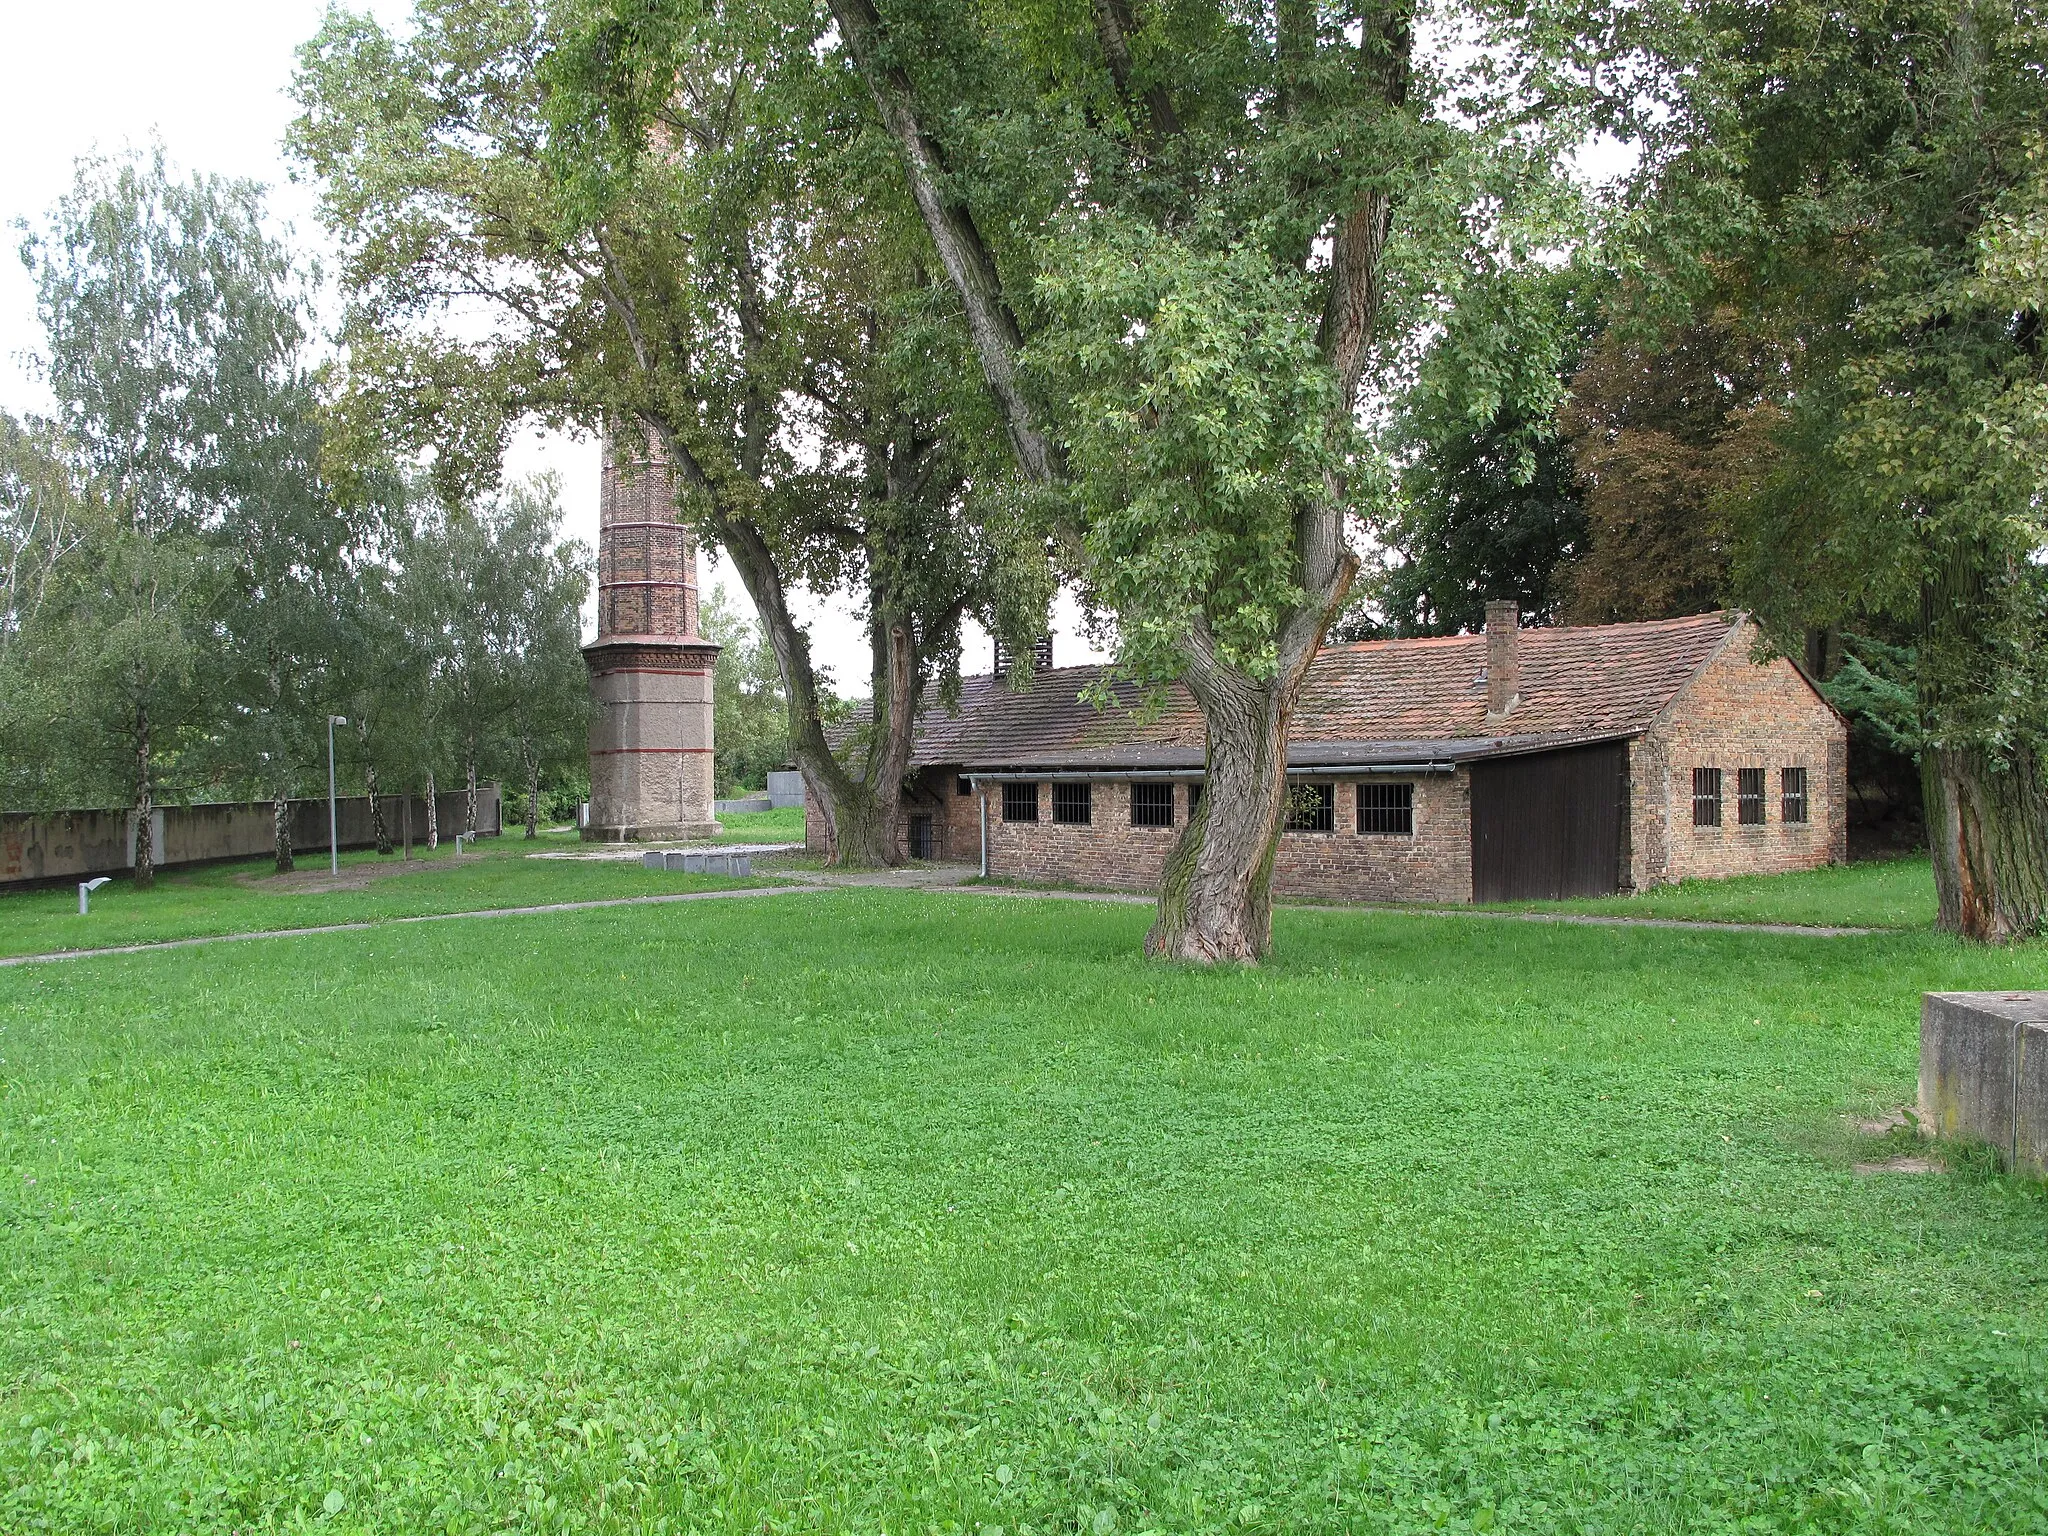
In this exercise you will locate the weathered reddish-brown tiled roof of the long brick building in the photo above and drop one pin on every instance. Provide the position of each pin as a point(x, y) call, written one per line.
point(1381, 701)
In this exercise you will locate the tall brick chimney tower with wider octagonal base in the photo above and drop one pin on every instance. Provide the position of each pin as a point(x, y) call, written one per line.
point(650, 671)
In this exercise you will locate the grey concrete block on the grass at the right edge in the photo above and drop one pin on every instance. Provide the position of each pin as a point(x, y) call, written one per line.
point(1986, 1072)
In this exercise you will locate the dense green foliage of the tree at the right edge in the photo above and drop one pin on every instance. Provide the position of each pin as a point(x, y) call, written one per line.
point(1889, 167)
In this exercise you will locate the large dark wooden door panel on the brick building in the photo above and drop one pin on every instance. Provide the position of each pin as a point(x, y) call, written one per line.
point(1549, 824)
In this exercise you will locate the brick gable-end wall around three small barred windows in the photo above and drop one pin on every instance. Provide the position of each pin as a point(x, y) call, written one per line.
point(1740, 716)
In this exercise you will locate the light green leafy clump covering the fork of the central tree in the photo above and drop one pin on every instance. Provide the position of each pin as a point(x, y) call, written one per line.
point(1195, 415)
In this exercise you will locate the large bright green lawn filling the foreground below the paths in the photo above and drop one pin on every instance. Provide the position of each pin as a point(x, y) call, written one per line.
point(947, 1213)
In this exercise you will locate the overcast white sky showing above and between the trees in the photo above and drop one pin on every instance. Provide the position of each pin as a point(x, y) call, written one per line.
point(210, 79)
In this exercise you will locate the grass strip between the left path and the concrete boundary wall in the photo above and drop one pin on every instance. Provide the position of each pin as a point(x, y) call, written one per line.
point(232, 898)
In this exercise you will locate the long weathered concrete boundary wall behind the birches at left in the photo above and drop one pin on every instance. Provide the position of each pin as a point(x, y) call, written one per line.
point(79, 845)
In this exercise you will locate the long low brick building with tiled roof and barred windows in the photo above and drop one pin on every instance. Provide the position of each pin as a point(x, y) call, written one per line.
point(1519, 763)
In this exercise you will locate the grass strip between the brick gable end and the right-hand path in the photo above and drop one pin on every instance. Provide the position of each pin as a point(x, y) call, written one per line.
point(1875, 894)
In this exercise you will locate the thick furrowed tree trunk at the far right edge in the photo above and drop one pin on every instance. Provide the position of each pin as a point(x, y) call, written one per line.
point(1988, 826)
